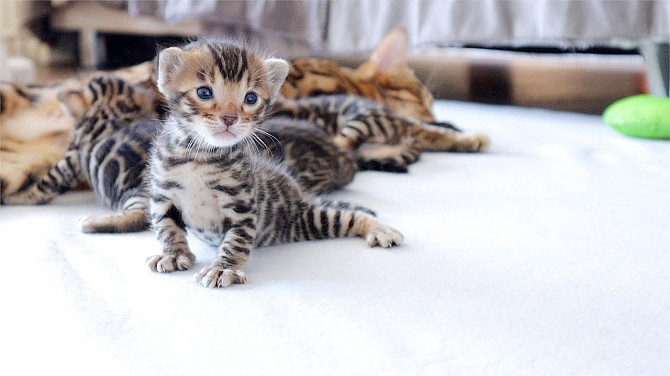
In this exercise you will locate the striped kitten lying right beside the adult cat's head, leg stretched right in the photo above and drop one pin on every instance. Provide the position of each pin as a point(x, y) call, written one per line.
point(352, 121)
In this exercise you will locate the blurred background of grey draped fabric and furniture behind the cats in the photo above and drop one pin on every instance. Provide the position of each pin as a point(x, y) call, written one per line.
point(576, 55)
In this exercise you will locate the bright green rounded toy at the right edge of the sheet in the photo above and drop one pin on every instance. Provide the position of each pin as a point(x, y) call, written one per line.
point(643, 115)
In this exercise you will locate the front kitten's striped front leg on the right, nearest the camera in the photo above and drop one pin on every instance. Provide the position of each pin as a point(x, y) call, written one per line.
point(231, 258)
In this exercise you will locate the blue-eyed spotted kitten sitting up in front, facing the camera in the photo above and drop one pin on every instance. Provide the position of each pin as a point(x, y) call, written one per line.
point(206, 178)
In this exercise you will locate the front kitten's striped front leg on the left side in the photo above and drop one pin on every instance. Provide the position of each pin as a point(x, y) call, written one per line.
point(170, 230)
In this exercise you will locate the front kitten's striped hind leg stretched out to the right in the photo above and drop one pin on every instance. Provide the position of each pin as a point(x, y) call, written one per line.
point(336, 219)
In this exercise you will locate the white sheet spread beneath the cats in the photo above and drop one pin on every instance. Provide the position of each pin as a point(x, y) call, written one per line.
point(548, 255)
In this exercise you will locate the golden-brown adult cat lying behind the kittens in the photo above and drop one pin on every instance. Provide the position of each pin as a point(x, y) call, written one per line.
point(385, 78)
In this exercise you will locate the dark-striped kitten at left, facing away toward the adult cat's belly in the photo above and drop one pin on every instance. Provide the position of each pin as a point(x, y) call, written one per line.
point(108, 150)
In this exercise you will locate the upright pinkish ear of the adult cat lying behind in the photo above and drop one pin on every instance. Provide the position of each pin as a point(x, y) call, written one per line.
point(391, 53)
